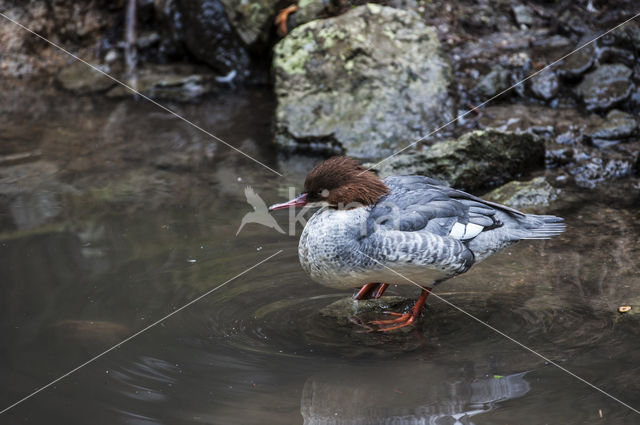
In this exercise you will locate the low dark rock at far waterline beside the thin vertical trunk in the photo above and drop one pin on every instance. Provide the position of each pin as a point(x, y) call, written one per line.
point(177, 82)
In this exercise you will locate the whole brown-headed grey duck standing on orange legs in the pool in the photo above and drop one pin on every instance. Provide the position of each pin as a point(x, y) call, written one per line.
point(371, 231)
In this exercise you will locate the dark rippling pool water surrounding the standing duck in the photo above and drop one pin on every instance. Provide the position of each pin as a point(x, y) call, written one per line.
point(121, 214)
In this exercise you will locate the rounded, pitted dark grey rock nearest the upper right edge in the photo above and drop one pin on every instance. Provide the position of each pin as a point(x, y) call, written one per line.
point(606, 86)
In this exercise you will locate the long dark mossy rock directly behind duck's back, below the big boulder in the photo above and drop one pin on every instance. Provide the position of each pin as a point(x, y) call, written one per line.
point(476, 160)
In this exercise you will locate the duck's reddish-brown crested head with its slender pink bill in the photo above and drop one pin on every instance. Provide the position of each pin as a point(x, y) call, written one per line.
point(338, 182)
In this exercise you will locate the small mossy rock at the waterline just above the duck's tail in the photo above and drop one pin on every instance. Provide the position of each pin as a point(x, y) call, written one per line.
point(525, 195)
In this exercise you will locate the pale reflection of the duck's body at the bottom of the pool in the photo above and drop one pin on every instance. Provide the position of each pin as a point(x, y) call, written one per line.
point(401, 396)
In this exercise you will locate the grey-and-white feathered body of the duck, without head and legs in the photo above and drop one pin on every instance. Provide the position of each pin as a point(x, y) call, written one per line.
point(422, 229)
